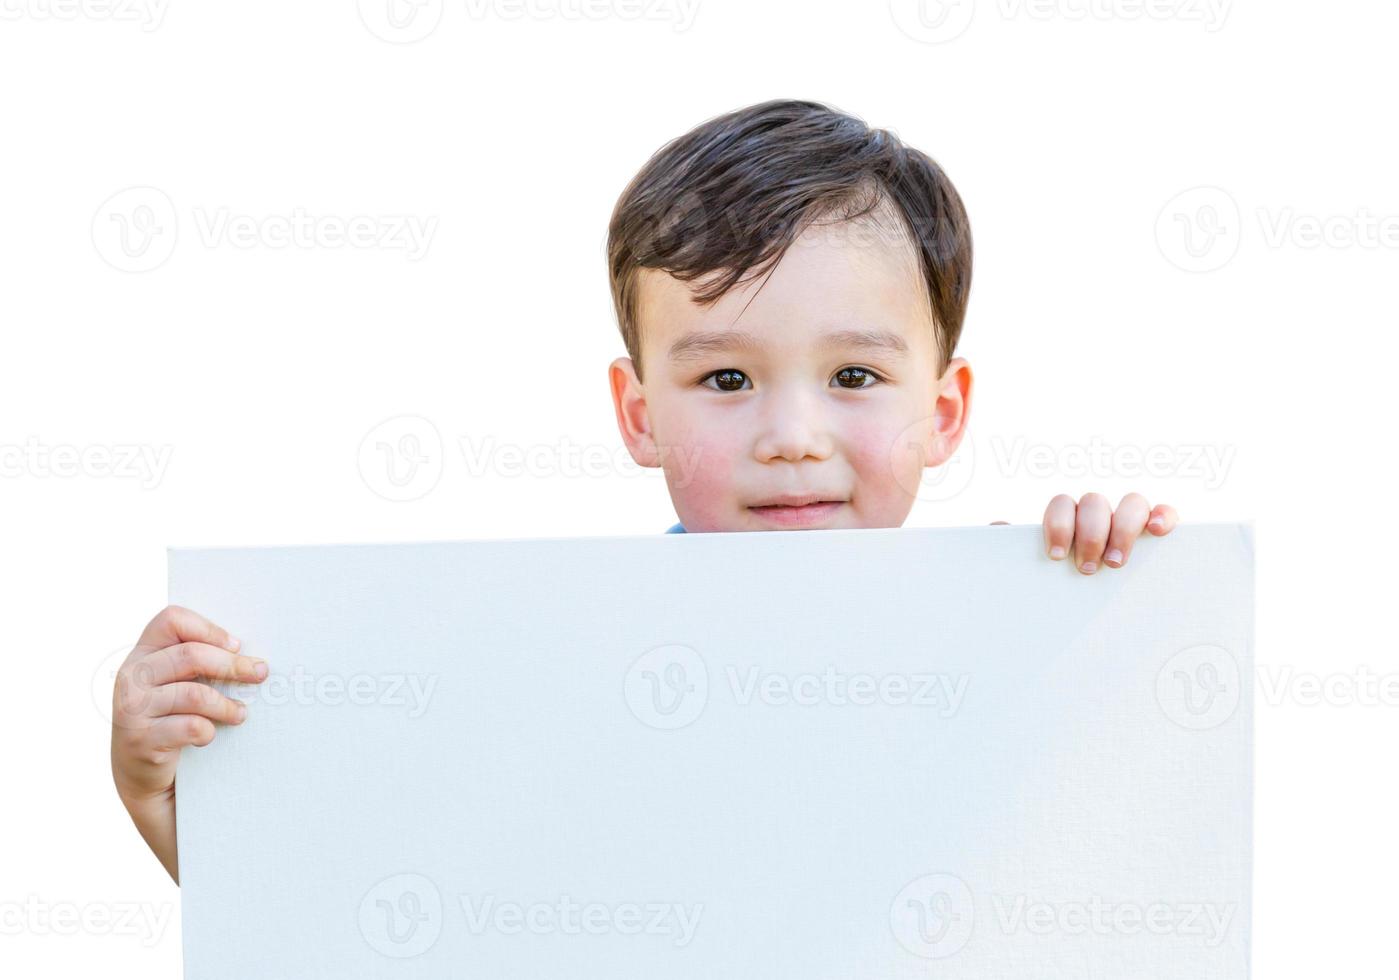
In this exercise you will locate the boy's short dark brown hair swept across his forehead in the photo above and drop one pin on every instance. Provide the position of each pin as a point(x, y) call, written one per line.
point(734, 195)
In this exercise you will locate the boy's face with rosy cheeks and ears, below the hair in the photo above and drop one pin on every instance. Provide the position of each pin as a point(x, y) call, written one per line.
point(809, 401)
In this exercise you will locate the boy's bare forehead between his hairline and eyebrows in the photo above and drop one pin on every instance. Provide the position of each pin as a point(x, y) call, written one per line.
point(848, 273)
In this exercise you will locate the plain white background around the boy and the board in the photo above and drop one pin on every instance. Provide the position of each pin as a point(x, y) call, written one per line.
point(254, 374)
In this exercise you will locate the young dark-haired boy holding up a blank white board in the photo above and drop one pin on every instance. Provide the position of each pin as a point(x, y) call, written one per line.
point(790, 286)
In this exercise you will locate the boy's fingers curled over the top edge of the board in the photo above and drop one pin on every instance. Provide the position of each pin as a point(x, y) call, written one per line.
point(1099, 536)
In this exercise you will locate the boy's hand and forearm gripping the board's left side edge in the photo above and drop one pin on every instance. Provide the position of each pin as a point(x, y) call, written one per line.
point(162, 704)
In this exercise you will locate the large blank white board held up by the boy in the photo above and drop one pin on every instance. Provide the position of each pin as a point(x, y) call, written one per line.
point(793, 756)
